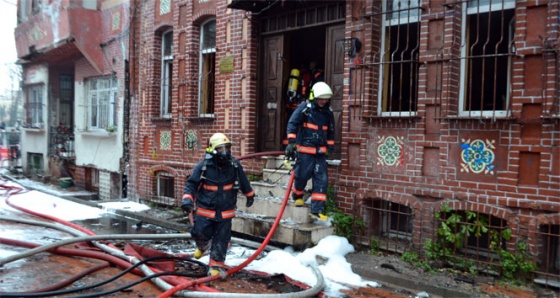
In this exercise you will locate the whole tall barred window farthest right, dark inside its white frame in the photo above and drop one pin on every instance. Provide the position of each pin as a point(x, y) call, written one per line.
point(488, 27)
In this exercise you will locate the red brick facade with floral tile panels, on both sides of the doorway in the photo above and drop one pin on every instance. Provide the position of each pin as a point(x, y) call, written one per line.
point(521, 186)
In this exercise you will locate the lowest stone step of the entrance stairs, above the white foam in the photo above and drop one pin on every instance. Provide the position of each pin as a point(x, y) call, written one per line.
point(299, 235)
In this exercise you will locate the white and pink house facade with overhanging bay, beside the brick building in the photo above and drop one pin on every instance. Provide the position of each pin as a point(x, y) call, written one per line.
point(74, 57)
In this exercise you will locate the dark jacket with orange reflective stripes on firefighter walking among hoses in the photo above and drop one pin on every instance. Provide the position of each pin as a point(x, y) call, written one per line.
point(215, 187)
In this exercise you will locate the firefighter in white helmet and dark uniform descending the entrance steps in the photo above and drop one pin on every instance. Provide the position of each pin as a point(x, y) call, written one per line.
point(311, 136)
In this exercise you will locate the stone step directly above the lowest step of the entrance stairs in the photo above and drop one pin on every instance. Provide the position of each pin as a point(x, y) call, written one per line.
point(269, 207)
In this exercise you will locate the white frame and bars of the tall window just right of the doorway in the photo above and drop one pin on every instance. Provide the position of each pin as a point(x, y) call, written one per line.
point(406, 17)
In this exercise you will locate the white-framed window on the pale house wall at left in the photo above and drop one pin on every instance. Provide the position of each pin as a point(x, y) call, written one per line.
point(113, 90)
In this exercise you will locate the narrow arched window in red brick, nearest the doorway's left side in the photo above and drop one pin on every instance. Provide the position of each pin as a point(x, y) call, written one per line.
point(207, 60)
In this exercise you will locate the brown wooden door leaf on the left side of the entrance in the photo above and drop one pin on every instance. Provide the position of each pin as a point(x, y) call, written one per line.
point(271, 125)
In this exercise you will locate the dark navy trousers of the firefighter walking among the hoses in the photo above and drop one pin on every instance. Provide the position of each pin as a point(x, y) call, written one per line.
point(205, 230)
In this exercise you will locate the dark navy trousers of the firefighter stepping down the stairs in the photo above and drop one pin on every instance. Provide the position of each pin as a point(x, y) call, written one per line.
point(312, 166)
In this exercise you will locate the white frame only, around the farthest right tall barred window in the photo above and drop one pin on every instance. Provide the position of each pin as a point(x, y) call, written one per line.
point(469, 9)
